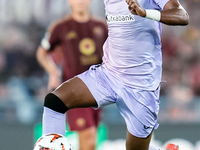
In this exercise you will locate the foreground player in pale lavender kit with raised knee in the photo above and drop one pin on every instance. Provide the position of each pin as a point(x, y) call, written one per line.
point(130, 74)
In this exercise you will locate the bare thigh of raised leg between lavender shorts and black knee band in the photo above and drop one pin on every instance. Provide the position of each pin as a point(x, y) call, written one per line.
point(74, 93)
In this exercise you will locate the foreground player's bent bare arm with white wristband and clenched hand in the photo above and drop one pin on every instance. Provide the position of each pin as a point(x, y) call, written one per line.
point(172, 14)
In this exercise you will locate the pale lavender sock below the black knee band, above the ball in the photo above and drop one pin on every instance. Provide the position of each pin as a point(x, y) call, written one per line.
point(53, 122)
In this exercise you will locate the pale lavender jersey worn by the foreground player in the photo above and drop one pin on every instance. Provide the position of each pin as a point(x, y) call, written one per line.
point(132, 51)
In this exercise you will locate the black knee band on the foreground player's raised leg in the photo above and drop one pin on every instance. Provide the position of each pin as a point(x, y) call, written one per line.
point(55, 103)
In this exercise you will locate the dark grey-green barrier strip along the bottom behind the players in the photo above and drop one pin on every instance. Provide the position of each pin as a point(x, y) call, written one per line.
point(21, 137)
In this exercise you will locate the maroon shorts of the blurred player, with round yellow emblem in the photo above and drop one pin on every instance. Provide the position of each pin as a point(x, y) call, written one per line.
point(82, 118)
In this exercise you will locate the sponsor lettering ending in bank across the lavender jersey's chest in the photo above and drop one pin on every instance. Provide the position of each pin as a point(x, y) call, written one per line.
point(119, 18)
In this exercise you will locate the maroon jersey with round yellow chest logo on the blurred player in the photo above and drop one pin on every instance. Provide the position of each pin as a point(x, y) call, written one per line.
point(80, 43)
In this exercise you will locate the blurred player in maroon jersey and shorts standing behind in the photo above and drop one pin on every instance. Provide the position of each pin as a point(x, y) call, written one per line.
point(76, 42)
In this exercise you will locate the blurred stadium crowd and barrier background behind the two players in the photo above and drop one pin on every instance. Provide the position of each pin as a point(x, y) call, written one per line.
point(23, 83)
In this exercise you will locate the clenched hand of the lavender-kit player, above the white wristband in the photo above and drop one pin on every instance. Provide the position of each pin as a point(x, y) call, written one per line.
point(136, 8)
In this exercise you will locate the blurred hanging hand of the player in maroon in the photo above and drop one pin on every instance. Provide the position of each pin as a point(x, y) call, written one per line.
point(54, 82)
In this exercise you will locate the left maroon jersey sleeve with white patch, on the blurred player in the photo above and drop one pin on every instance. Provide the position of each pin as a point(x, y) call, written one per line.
point(51, 39)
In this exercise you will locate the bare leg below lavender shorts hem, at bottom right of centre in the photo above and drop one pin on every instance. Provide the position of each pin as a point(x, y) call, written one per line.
point(135, 143)
